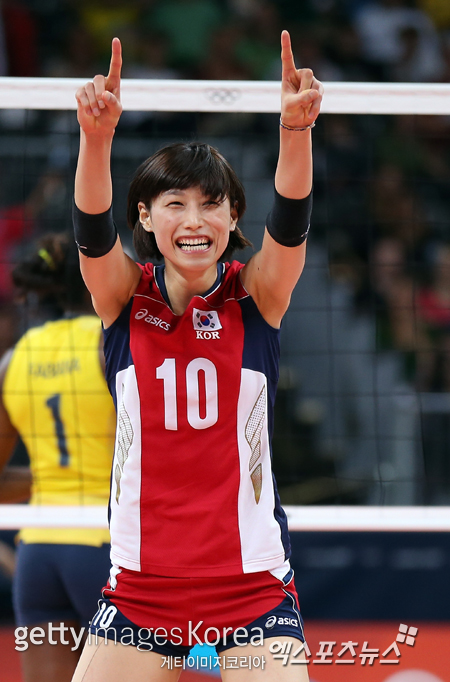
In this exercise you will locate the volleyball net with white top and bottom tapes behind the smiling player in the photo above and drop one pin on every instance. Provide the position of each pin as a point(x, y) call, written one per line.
point(362, 423)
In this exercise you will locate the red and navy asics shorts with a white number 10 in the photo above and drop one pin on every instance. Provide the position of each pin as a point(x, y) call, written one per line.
point(171, 615)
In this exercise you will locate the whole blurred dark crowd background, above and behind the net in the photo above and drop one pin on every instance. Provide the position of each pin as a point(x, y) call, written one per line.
point(363, 410)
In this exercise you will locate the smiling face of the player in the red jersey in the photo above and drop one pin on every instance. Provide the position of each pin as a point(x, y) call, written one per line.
point(191, 229)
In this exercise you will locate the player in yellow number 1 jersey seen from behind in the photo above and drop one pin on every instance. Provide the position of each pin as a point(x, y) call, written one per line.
point(53, 393)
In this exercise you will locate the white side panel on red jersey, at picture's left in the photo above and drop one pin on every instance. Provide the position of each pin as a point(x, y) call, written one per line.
point(125, 522)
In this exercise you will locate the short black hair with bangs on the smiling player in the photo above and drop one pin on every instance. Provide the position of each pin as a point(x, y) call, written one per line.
point(180, 166)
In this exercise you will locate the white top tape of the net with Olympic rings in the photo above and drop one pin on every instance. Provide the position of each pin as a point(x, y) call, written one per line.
point(230, 96)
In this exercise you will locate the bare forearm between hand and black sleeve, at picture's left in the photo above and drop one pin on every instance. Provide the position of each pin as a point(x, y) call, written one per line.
point(93, 184)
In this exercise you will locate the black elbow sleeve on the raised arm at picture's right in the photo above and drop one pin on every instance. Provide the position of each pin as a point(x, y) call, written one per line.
point(288, 221)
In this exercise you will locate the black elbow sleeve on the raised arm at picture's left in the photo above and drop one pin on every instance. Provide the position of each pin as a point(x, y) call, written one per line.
point(95, 234)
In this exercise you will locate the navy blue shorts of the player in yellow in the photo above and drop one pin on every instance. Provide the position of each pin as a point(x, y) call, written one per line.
point(56, 583)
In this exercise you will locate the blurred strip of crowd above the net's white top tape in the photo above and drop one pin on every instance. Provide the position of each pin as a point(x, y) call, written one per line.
point(345, 40)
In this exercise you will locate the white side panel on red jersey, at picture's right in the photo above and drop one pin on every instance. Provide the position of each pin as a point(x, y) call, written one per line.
point(260, 533)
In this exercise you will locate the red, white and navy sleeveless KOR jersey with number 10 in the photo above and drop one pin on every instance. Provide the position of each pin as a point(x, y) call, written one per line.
point(192, 487)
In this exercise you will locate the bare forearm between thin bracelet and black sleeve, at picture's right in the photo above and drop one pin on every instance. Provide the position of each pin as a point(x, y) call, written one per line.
point(293, 177)
